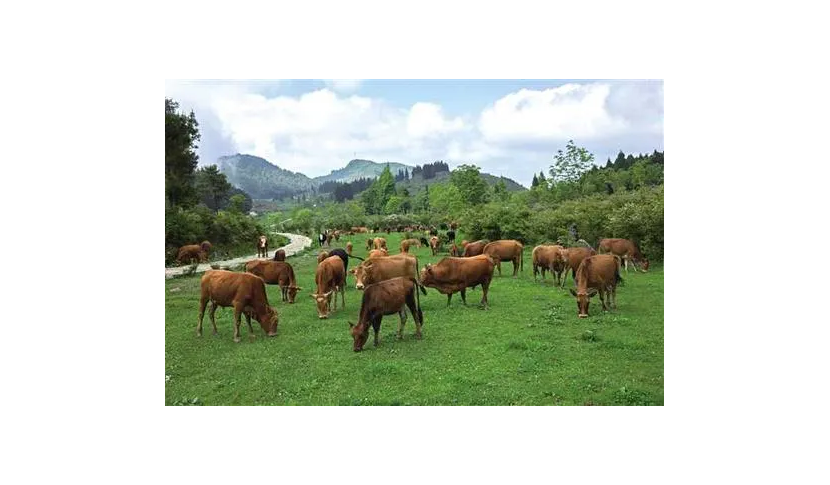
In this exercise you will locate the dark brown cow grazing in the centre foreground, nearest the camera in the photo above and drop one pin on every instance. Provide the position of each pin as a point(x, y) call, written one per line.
point(386, 298)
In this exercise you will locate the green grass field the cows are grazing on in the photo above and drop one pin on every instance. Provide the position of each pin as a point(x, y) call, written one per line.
point(529, 348)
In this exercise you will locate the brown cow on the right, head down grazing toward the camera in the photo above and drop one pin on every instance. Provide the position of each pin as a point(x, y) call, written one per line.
point(599, 273)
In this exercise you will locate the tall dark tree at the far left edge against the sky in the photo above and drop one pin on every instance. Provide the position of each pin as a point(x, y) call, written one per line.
point(180, 160)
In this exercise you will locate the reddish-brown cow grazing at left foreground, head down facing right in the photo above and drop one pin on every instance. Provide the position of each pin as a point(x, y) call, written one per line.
point(242, 291)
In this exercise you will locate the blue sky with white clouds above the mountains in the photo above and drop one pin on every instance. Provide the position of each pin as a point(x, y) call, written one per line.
point(507, 127)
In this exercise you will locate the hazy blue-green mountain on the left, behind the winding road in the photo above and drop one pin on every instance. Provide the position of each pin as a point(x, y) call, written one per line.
point(261, 179)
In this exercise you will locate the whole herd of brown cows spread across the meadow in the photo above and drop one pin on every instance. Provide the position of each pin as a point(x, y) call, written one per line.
point(391, 282)
